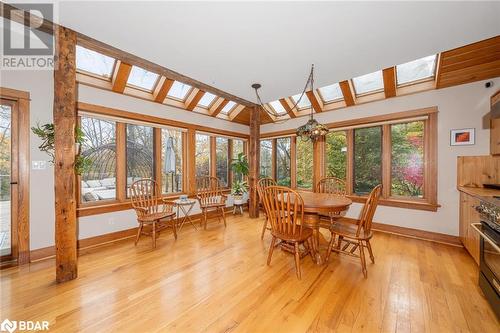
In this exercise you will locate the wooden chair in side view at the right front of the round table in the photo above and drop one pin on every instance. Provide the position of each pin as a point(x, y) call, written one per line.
point(356, 236)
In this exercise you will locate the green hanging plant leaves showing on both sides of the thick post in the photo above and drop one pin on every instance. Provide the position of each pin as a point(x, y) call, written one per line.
point(46, 133)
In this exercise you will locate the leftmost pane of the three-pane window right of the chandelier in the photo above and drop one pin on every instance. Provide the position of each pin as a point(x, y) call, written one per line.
point(336, 154)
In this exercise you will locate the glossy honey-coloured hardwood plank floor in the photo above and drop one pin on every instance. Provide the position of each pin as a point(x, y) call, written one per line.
point(217, 281)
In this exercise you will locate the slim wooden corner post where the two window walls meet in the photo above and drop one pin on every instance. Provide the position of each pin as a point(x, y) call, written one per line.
point(254, 161)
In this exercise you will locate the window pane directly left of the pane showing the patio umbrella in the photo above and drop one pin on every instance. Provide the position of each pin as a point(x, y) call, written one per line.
point(140, 157)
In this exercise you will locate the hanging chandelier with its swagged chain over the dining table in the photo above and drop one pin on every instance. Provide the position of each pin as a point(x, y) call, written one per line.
point(312, 130)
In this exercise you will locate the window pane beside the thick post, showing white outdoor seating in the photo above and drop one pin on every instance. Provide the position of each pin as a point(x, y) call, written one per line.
point(99, 183)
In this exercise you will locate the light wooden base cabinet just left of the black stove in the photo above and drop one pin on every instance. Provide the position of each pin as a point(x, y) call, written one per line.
point(468, 214)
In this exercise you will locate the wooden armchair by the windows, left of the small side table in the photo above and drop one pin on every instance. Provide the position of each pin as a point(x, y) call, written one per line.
point(151, 209)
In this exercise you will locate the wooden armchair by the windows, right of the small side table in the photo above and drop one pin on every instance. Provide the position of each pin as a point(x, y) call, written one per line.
point(210, 196)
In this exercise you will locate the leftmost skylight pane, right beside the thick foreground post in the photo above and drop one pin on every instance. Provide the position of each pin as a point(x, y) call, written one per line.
point(94, 62)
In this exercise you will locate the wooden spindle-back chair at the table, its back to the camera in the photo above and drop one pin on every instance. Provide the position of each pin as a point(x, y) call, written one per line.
point(285, 211)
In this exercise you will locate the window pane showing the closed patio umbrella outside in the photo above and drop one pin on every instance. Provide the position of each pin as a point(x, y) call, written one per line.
point(171, 161)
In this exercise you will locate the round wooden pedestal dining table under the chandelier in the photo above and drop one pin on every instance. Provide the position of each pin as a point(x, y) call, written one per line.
point(324, 204)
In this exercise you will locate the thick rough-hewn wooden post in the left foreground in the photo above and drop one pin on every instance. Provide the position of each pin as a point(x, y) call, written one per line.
point(64, 171)
